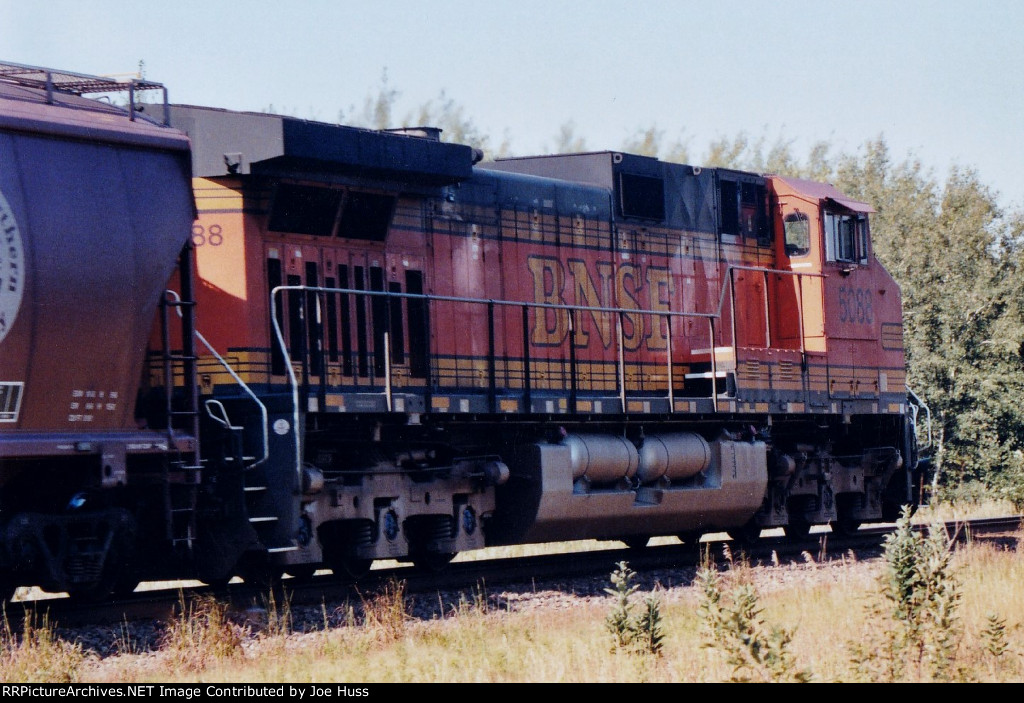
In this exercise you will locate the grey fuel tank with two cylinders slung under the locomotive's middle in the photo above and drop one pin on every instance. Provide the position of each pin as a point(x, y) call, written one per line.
point(704, 487)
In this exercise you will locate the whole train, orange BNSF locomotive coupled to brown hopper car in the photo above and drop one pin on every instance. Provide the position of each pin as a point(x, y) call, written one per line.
point(241, 344)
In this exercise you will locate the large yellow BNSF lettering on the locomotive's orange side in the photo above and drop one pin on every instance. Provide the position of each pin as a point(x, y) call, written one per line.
point(600, 285)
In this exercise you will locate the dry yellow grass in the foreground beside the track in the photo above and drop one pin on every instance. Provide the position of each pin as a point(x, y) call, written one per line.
point(826, 606)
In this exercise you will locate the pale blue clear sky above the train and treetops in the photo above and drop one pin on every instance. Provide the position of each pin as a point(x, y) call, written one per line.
point(943, 81)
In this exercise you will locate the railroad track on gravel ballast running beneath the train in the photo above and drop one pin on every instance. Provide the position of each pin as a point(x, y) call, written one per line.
point(552, 572)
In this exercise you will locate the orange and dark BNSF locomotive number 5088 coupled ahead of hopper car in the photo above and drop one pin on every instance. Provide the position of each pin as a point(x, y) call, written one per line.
point(423, 355)
